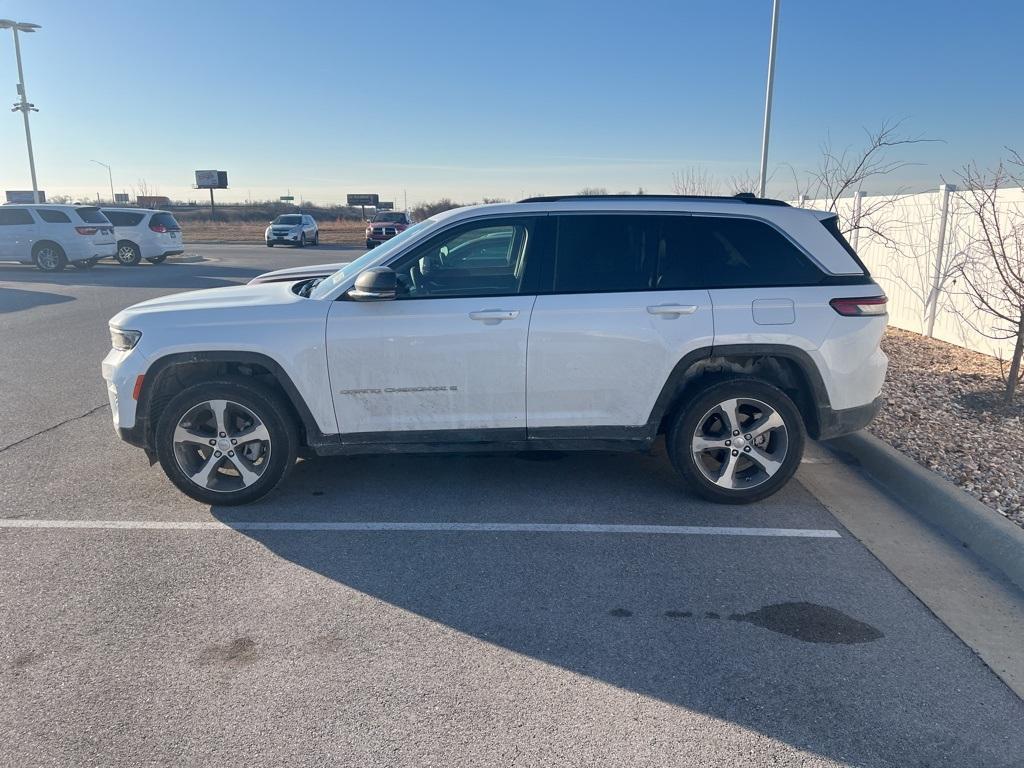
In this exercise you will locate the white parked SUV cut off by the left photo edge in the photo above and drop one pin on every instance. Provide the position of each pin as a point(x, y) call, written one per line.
point(54, 236)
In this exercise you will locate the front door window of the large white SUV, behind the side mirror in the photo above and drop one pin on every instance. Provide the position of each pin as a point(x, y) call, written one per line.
point(479, 261)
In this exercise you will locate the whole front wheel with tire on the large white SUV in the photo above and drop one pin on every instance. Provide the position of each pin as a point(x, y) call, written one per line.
point(227, 442)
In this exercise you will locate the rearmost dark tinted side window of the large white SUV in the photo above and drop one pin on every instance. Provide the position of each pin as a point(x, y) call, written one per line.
point(739, 253)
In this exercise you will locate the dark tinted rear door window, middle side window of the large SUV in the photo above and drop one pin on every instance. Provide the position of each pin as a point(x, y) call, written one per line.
point(601, 253)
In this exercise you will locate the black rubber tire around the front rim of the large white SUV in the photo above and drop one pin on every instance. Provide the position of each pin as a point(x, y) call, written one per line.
point(266, 404)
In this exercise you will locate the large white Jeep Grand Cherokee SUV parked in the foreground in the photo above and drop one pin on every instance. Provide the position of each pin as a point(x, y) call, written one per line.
point(734, 326)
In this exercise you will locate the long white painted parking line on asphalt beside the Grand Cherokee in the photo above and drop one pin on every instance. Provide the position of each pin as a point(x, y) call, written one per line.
point(489, 528)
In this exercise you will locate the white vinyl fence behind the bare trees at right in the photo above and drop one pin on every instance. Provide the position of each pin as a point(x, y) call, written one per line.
point(912, 246)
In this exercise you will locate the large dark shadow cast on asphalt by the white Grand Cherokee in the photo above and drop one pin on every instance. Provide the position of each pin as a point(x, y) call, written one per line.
point(783, 636)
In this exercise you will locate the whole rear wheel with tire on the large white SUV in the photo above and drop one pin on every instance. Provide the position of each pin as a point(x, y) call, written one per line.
point(738, 442)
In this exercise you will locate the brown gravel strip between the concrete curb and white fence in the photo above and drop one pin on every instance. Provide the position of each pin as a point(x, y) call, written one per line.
point(944, 410)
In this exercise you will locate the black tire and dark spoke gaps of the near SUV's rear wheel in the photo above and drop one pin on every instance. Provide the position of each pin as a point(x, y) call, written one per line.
point(788, 446)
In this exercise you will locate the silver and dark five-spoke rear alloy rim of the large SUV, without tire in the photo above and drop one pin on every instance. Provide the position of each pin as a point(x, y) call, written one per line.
point(740, 444)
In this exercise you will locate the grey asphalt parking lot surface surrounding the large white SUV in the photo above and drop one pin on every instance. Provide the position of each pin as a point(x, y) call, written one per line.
point(421, 611)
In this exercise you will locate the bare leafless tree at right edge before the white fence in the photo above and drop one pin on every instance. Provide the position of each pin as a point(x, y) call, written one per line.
point(994, 273)
